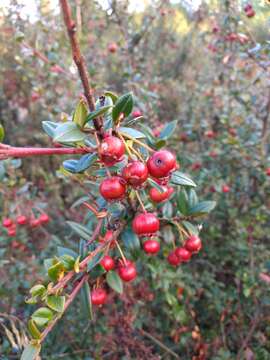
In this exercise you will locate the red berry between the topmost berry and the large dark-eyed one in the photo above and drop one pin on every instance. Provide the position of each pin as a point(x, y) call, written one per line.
point(135, 173)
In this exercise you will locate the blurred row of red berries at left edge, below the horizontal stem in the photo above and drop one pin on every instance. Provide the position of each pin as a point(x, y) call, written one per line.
point(11, 224)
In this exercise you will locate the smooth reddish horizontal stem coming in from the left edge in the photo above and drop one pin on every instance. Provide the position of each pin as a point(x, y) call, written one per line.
point(7, 151)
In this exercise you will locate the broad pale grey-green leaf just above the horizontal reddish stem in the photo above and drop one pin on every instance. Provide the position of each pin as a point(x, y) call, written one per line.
point(68, 132)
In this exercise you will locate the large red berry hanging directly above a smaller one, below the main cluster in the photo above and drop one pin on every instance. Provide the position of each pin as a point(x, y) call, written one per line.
point(145, 224)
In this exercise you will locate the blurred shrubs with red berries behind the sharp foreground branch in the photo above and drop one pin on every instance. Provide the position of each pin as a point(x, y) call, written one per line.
point(205, 64)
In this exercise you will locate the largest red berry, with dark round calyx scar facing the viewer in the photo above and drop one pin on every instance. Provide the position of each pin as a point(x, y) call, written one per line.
point(161, 164)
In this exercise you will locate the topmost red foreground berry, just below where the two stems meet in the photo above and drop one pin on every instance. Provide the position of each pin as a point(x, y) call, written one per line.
point(111, 150)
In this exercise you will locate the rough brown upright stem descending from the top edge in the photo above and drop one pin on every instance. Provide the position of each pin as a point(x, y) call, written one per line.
point(79, 61)
